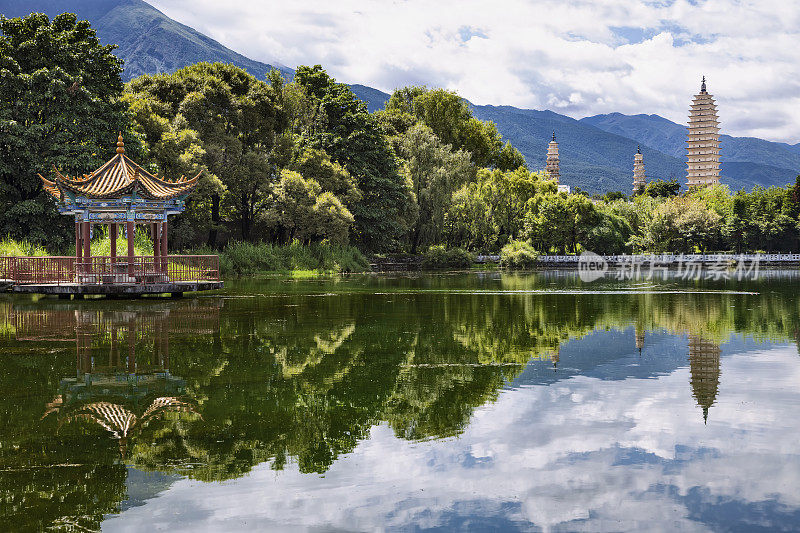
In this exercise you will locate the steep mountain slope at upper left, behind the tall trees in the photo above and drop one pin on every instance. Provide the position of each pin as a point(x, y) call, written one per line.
point(149, 41)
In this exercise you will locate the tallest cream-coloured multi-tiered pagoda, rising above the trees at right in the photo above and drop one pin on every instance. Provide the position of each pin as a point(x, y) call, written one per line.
point(702, 144)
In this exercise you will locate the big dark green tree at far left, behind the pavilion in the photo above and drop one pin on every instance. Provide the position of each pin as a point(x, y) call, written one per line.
point(59, 106)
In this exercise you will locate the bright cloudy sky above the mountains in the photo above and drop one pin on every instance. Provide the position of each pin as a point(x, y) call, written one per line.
point(576, 57)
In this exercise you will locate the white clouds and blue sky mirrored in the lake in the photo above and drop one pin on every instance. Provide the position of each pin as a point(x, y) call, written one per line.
point(614, 455)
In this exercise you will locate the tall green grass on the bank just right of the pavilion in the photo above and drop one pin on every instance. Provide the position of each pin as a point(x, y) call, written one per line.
point(298, 260)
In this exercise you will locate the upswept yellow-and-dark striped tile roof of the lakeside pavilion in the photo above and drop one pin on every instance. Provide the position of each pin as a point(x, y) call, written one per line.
point(118, 177)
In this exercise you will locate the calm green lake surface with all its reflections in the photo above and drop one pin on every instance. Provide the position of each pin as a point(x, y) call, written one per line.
point(472, 402)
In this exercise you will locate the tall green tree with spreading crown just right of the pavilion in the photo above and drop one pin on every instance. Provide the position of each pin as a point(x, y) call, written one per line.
point(236, 118)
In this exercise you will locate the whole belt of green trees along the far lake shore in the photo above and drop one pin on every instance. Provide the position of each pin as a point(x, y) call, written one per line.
point(303, 160)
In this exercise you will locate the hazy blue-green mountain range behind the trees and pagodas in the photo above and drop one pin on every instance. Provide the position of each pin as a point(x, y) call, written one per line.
point(596, 152)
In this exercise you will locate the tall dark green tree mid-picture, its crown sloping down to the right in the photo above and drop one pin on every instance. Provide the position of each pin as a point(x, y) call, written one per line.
point(355, 140)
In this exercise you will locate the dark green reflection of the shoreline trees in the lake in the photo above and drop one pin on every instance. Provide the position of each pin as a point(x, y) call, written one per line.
point(301, 378)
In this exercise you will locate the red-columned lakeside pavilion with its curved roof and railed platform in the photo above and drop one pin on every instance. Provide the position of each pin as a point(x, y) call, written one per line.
point(120, 195)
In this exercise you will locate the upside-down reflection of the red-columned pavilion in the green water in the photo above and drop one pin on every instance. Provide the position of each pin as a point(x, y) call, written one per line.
point(114, 387)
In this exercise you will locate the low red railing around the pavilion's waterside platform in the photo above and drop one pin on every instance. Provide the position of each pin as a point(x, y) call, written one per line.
point(105, 270)
